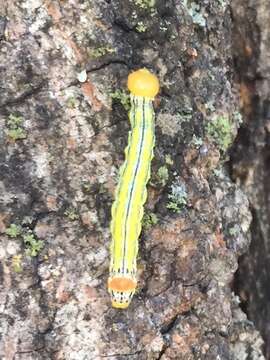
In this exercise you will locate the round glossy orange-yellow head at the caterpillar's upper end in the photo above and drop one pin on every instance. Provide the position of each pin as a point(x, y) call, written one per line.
point(143, 83)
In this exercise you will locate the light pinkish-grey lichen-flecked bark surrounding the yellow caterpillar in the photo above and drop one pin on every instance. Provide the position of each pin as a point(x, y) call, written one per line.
point(62, 141)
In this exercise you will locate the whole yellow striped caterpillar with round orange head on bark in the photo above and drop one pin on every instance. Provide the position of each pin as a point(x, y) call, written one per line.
point(131, 193)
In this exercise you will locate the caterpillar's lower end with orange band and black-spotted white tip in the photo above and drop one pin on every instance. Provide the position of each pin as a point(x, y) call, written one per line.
point(121, 289)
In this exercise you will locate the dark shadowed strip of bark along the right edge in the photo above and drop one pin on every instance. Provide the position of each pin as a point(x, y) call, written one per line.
point(251, 156)
